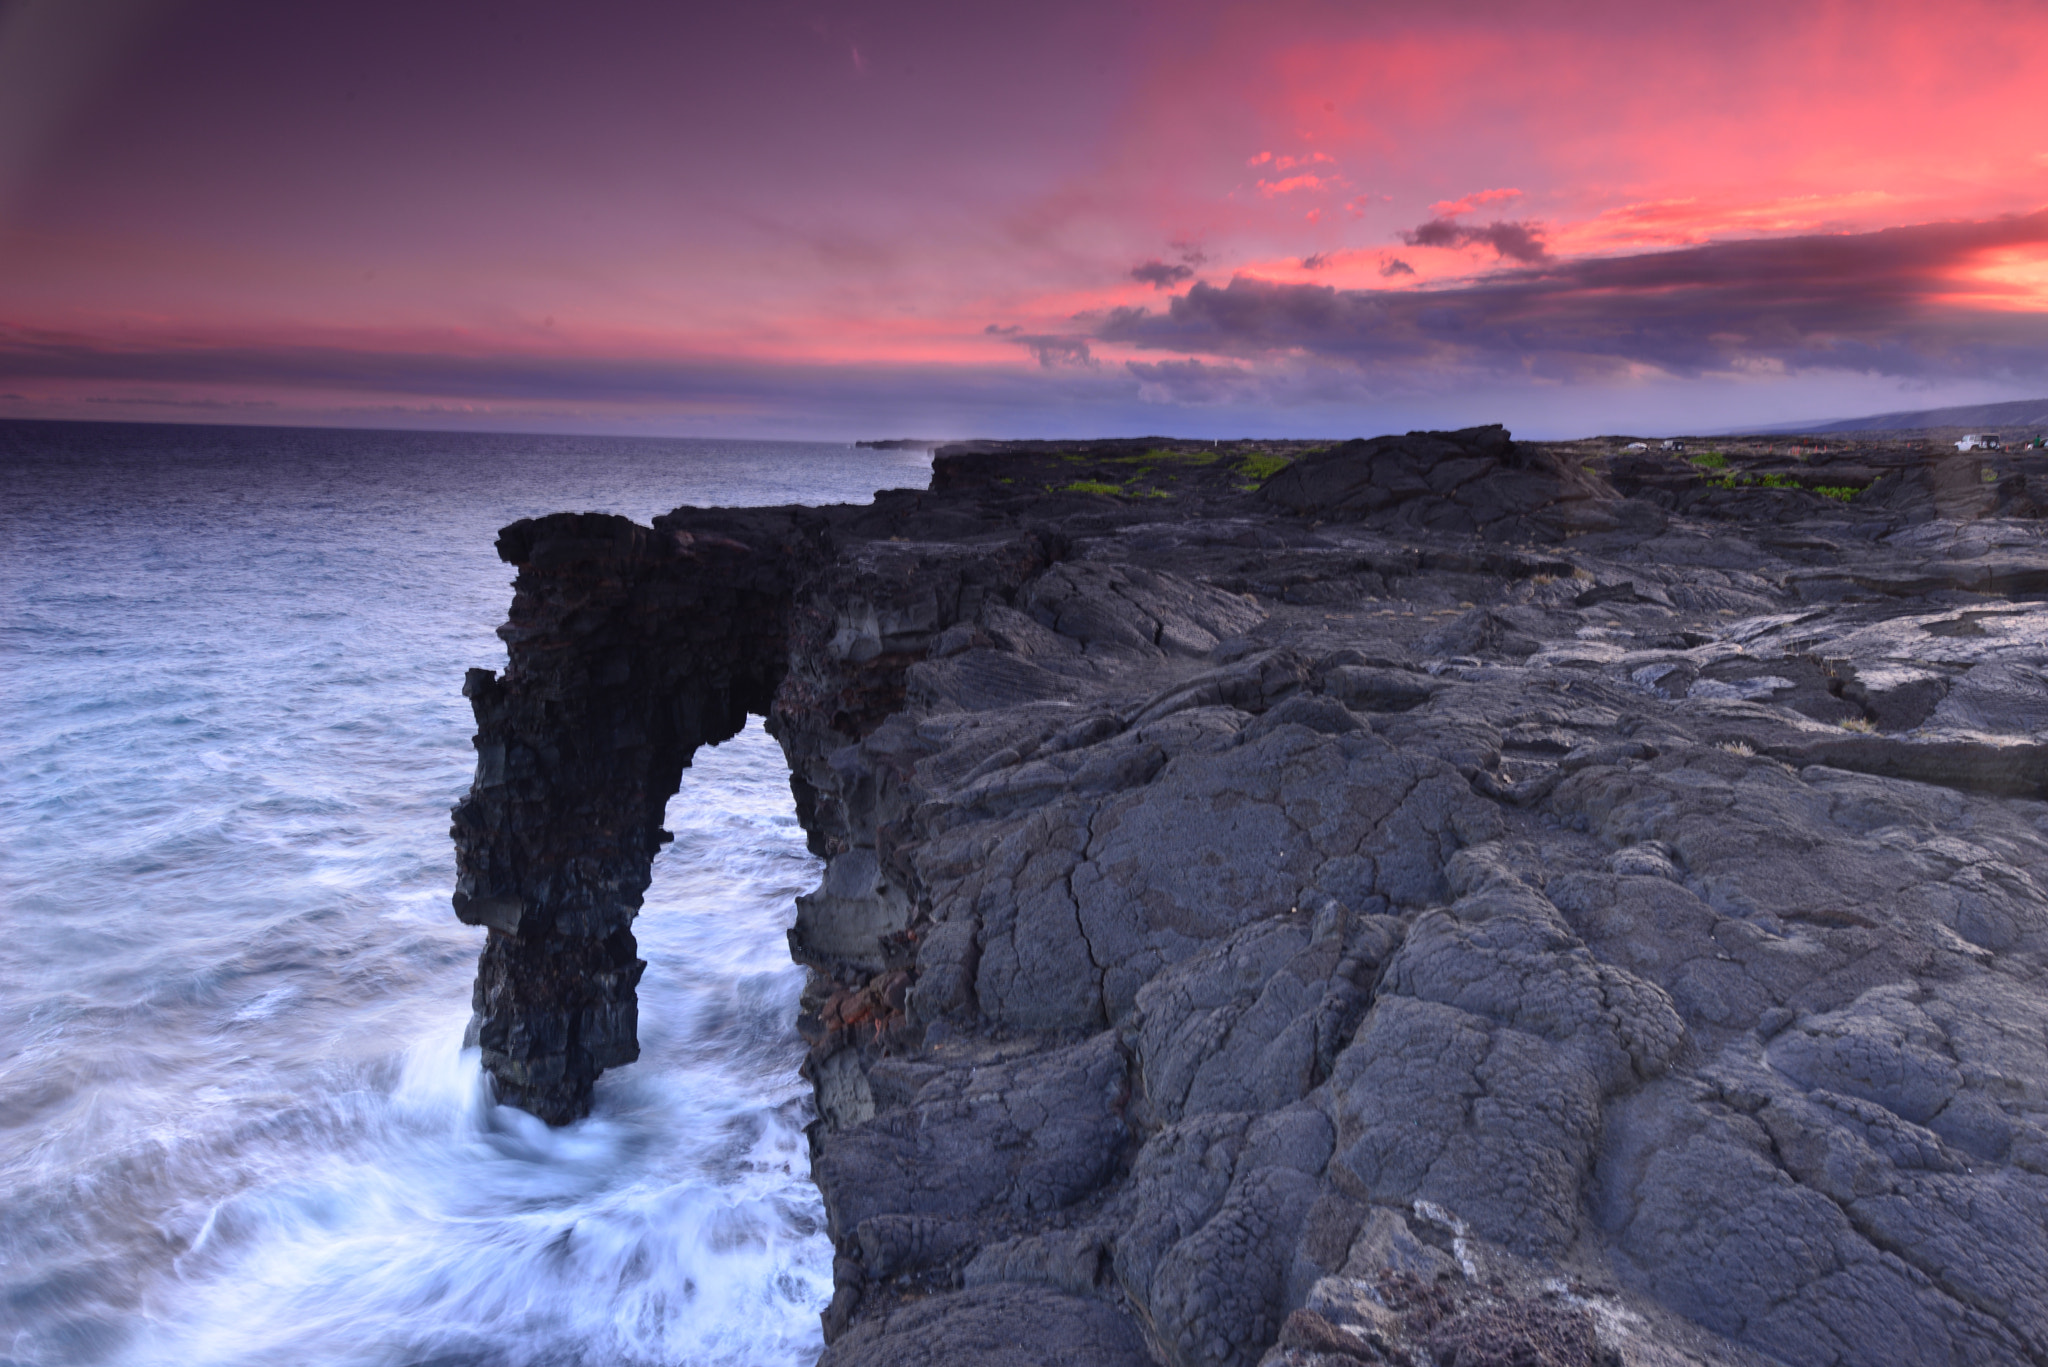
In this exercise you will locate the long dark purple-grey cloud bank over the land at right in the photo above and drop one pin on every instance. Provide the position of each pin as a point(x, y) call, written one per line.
point(1883, 302)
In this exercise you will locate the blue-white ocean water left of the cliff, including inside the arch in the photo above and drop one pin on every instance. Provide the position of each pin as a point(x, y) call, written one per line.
point(237, 1120)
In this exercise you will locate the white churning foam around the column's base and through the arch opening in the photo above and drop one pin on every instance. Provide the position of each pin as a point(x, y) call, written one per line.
point(407, 1218)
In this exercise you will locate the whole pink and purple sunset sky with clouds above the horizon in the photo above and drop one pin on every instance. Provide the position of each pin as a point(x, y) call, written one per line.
point(835, 220)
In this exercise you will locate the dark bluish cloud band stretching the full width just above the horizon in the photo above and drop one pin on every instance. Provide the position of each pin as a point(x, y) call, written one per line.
point(1881, 304)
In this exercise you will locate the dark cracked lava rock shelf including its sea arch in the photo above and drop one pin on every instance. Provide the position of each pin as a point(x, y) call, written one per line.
point(1420, 901)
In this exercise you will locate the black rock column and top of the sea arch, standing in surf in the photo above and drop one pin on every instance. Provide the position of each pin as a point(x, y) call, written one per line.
point(630, 649)
